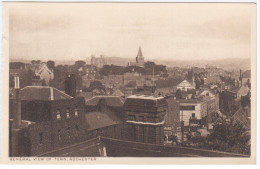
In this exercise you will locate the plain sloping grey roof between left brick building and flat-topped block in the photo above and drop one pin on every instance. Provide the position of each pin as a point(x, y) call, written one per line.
point(97, 120)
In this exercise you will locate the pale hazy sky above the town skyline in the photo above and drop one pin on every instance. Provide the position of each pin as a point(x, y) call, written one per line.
point(164, 31)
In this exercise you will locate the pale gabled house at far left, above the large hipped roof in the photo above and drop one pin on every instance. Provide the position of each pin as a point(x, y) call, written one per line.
point(44, 73)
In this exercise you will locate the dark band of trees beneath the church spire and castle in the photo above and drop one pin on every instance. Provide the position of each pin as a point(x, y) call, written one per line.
point(148, 69)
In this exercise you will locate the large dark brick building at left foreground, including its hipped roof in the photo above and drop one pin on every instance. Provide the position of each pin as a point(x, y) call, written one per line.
point(44, 119)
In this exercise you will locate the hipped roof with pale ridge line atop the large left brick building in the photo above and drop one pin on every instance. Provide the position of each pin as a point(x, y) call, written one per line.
point(42, 93)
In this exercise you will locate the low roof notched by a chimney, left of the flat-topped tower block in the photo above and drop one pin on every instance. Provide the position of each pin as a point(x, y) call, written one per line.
point(112, 101)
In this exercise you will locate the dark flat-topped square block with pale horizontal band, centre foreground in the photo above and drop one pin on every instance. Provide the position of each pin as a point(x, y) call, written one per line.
point(145, 118)
